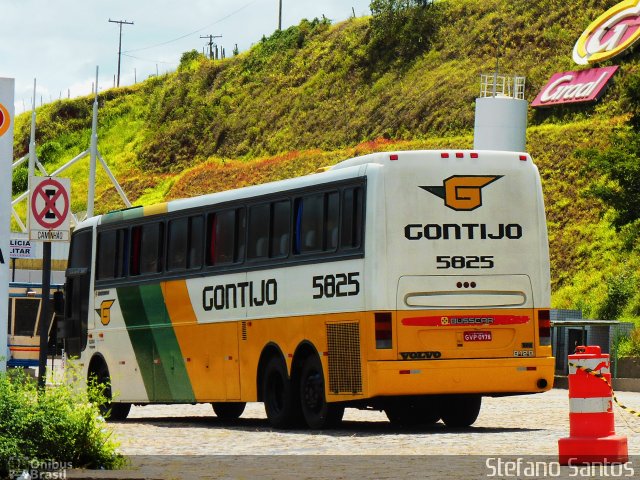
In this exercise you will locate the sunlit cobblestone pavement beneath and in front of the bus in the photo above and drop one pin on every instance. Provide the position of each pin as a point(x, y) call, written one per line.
point(183, 441)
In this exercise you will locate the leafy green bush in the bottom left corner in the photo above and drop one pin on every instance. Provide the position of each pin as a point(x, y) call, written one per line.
point(59, 424)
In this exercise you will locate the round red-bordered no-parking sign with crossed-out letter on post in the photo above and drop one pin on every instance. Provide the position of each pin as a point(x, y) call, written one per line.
point(49, 204)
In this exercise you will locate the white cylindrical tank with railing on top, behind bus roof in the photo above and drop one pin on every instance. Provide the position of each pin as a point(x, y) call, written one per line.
point(501, 114)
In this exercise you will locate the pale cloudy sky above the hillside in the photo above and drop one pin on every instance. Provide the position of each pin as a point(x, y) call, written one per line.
point(61, 42)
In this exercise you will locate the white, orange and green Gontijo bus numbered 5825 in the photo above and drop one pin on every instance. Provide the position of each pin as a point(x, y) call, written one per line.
point(411, 282)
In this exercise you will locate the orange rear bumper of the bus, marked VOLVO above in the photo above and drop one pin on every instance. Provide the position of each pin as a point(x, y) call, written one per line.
point(484, 376)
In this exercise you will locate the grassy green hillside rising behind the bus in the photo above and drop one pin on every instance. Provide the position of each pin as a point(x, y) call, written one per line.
point(318, 93)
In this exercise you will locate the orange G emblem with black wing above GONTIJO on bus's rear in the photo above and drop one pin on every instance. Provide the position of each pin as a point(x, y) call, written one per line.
point(462, 192)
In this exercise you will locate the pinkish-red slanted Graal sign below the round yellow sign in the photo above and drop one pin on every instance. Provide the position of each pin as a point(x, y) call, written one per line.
point(574, 87)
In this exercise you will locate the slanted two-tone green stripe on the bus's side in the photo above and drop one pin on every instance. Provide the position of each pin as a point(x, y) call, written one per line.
point(154, 343)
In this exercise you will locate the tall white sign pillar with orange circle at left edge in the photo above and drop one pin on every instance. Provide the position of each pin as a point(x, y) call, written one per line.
point(7, 88)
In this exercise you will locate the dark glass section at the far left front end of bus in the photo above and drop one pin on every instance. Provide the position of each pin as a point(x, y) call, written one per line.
point(73, 329)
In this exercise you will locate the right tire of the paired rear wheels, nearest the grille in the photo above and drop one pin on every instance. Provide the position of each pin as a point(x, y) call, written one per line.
point(317, 412)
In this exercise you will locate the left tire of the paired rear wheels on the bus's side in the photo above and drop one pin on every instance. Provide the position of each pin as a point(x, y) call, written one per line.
point(280, 402)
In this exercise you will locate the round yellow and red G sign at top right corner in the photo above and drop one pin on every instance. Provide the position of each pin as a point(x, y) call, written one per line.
point(610, 34)
